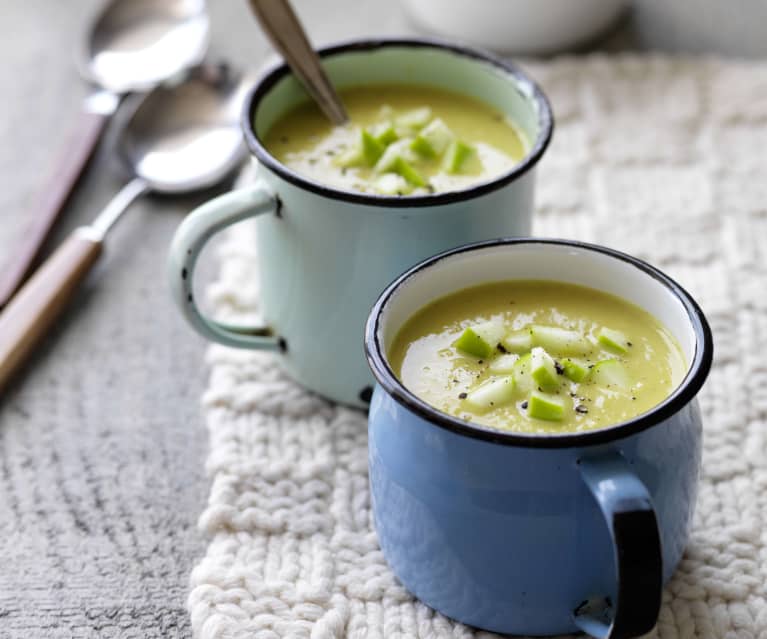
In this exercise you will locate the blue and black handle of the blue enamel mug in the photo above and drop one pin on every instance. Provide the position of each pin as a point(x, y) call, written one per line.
point(630, 517)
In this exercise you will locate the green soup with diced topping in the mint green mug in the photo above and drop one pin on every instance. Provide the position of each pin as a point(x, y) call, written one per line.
point(400, 140)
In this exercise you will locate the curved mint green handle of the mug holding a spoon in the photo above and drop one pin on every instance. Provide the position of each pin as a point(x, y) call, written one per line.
point(192, 234)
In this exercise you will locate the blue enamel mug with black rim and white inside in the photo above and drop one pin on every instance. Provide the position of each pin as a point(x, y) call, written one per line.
point(536, 534)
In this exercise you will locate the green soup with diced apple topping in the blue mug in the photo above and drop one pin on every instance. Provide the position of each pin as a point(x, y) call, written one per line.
point(537, 357)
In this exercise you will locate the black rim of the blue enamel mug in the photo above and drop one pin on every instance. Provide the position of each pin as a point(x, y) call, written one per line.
point(682, 395)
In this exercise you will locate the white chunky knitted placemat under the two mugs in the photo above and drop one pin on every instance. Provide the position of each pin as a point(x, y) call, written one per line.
point(660, 157)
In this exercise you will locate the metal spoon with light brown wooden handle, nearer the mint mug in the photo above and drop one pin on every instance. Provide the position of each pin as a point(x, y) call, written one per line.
point(179, 139)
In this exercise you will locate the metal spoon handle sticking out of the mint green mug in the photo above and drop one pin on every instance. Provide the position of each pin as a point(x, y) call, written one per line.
point(285, 32)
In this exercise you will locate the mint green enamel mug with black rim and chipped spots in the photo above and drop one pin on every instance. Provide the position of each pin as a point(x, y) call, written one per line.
point(325, 254)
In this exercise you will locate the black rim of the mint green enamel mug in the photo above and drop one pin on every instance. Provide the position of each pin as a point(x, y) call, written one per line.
point(272, 76)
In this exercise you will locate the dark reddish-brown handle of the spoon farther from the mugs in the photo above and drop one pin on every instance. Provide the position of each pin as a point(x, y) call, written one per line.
point(53, 197)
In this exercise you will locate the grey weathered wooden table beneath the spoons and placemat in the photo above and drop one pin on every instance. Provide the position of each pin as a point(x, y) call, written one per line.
point(102, 444)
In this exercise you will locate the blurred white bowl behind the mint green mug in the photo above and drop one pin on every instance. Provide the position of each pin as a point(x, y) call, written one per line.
point(516, 26)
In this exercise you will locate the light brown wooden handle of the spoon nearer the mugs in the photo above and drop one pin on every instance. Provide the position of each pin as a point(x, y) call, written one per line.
point(29, 315)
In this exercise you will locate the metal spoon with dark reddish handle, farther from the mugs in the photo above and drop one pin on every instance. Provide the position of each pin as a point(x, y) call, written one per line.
point(131, 46)
